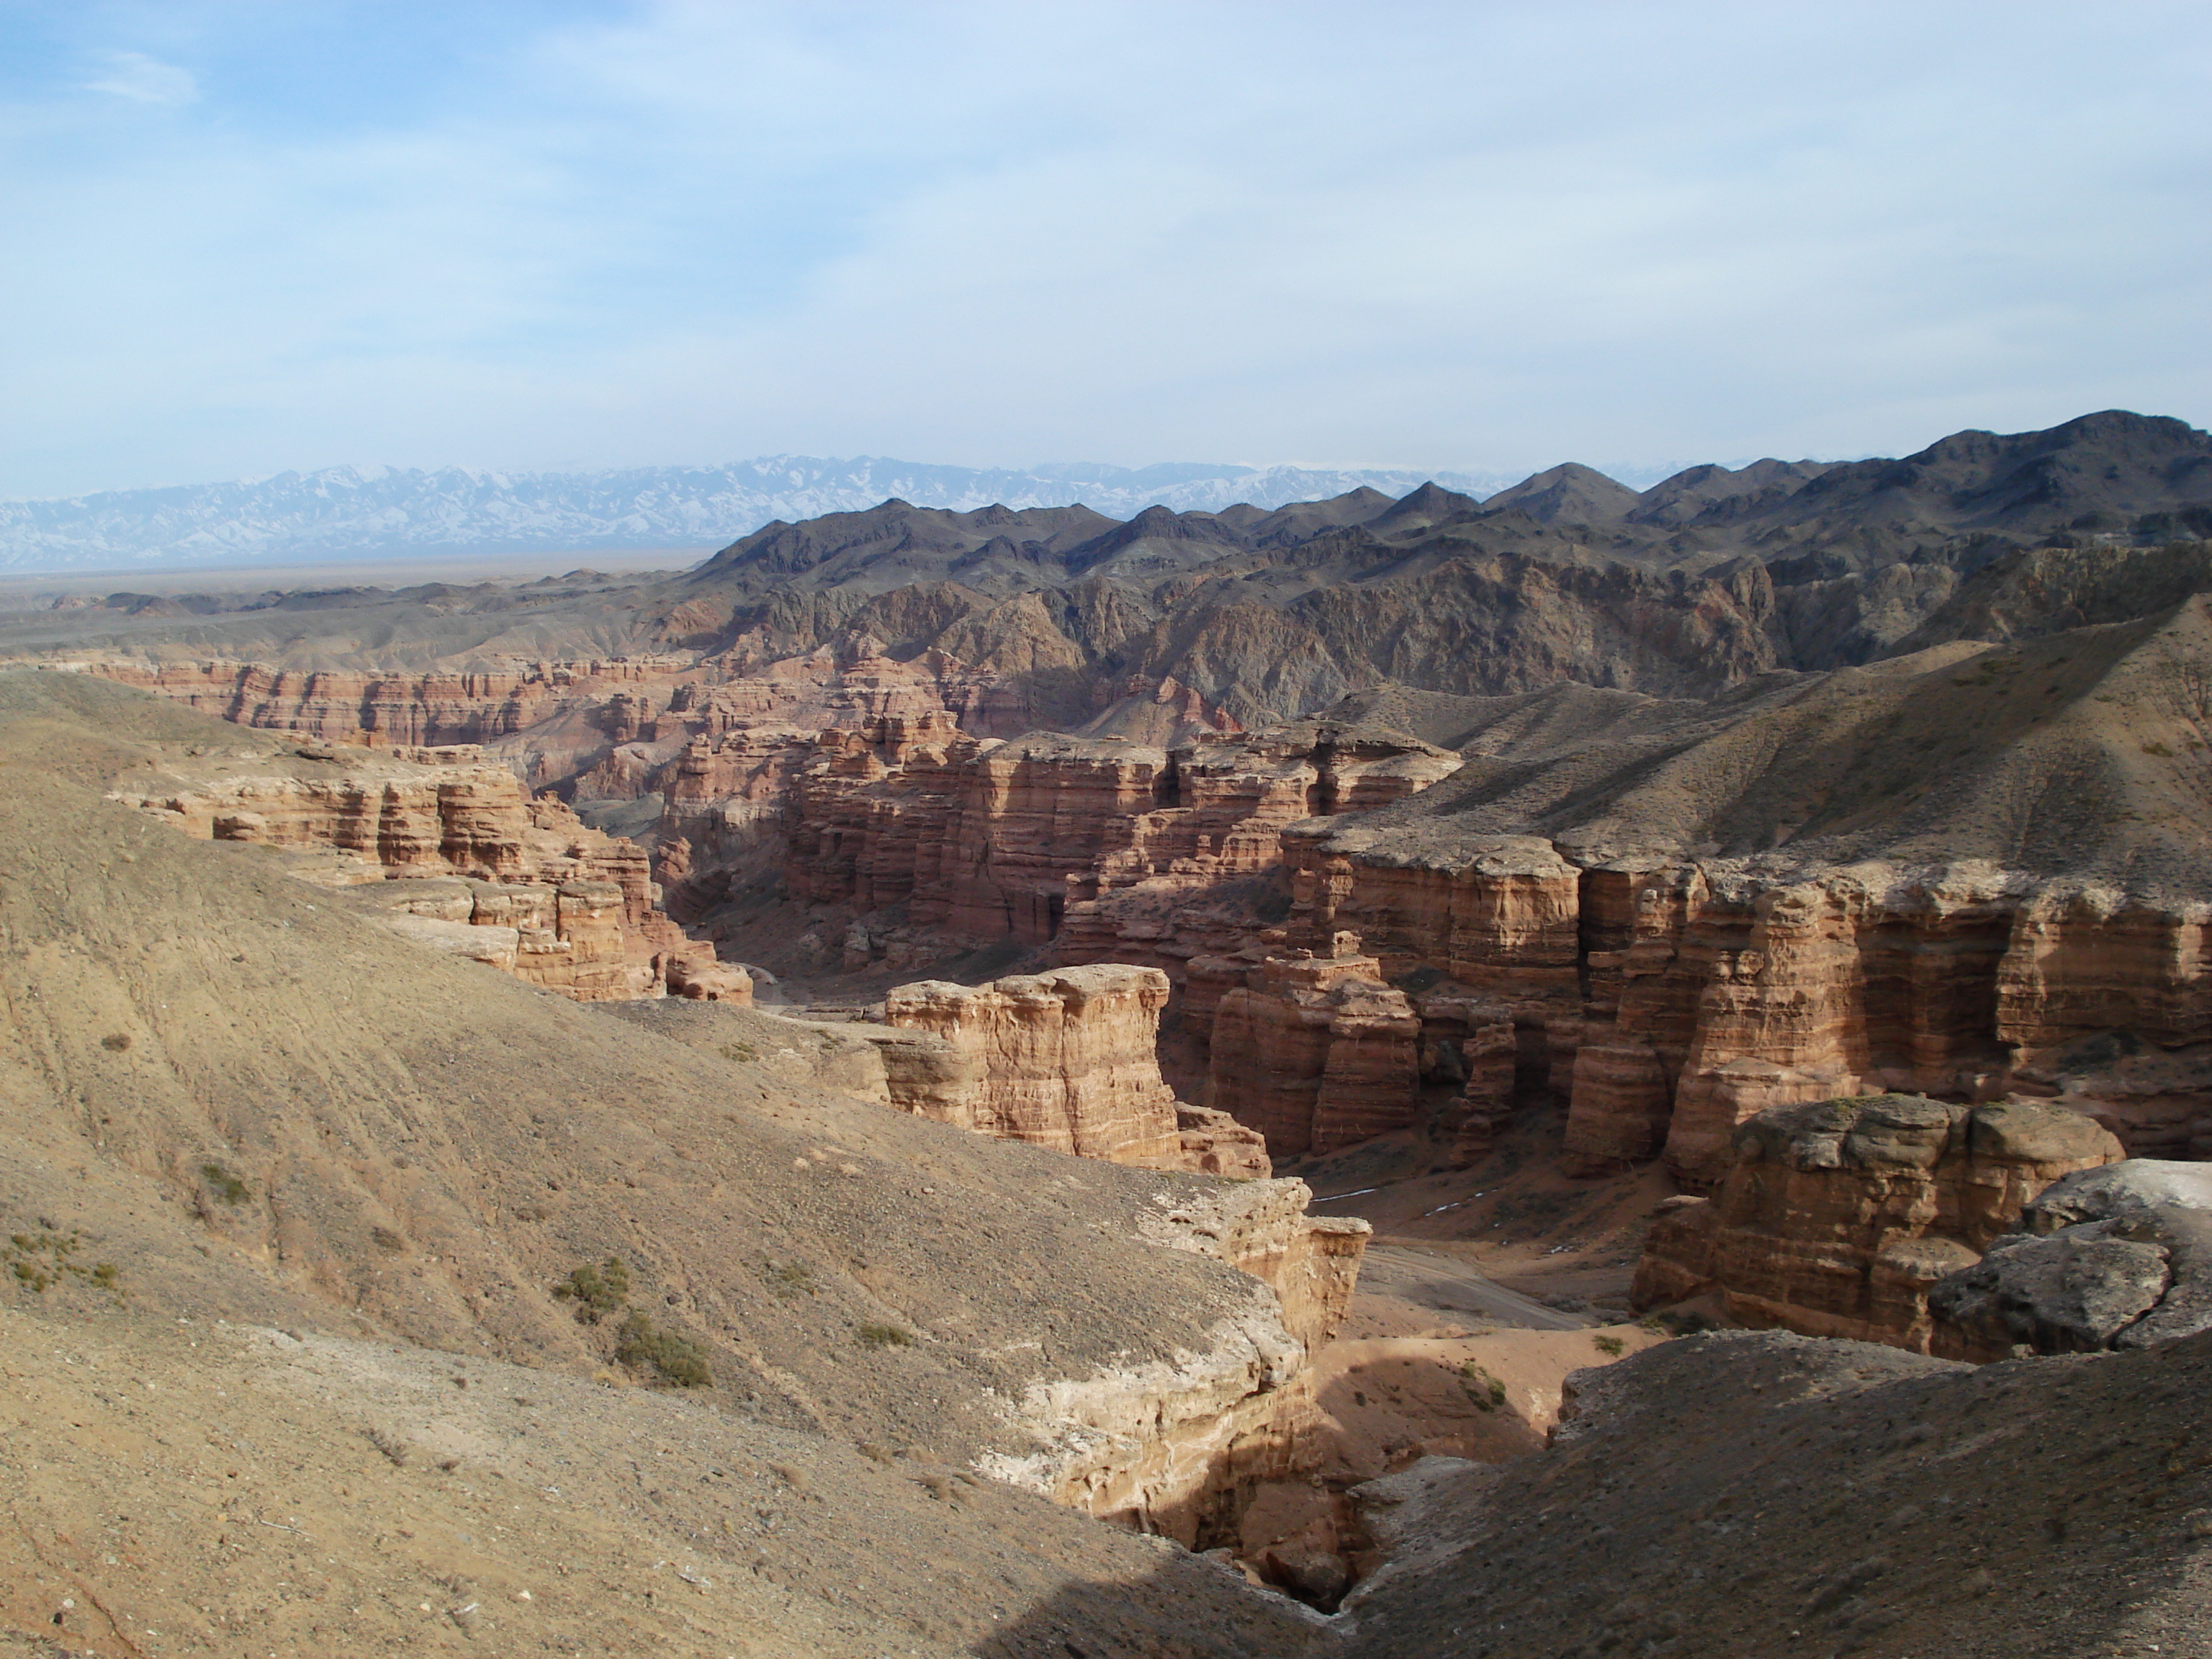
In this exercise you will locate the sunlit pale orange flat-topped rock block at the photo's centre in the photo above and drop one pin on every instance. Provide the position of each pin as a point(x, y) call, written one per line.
point(1065, 1061)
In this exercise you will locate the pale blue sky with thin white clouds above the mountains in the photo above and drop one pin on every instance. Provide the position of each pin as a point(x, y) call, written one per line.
point(255, 236)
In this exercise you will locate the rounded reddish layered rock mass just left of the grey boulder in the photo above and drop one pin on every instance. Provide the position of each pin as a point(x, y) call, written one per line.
point(1837, 1218)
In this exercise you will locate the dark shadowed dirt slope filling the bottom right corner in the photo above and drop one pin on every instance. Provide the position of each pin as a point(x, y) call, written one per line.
point(1762, 1494)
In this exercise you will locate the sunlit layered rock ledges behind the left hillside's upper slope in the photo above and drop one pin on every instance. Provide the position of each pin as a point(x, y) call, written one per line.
point(481, 868)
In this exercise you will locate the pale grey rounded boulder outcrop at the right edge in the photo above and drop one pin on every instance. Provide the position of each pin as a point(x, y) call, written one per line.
point(2109, 1258)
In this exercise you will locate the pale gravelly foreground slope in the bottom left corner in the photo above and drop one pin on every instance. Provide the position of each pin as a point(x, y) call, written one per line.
point(189, 1485)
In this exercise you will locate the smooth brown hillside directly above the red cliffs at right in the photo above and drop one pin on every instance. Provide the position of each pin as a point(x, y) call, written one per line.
point(2083, 753)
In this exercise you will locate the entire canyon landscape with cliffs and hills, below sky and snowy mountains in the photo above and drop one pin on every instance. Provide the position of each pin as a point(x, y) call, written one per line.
point(1258, 1027)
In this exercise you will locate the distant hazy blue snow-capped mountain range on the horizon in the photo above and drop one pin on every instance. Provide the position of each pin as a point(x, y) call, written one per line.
point(346, 512)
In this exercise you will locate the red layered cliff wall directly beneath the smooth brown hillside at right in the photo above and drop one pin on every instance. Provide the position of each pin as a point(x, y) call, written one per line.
point(1671, 1001)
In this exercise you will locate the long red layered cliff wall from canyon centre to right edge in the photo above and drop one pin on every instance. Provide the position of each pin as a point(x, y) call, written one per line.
point(1662, 1001)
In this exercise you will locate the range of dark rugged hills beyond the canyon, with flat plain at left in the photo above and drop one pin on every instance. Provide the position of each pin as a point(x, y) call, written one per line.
point(1695, 587)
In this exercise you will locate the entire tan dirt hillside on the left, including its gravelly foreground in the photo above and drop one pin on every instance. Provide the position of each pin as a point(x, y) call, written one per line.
point(229, 1098)
